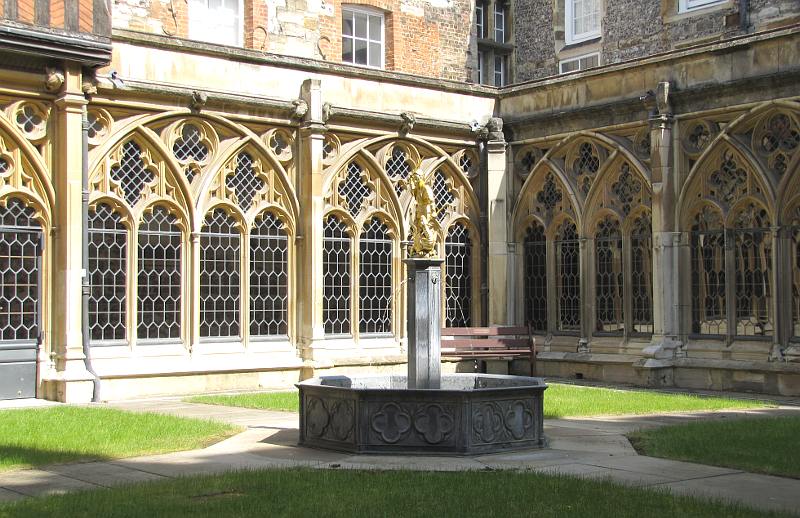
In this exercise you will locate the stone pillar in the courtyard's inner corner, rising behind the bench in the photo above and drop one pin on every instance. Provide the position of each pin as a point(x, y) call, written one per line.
point(497, 275)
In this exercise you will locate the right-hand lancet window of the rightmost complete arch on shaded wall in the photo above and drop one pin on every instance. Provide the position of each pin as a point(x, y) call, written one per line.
point(753, 272)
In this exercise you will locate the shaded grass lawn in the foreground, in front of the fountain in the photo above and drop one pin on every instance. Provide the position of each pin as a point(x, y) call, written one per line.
point(347, 493)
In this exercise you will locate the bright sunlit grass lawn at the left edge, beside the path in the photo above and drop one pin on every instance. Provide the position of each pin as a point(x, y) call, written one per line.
point(36, 437)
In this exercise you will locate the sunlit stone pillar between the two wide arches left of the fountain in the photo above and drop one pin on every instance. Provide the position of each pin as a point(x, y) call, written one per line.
point(309, 238)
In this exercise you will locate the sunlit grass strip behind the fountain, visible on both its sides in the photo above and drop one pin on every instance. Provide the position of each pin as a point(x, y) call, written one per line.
point(559, 401)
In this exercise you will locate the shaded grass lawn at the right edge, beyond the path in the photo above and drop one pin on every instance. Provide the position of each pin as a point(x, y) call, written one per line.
point(761, 445)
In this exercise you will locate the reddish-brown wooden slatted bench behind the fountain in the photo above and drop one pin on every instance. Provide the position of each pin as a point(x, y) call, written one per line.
point(489, 343)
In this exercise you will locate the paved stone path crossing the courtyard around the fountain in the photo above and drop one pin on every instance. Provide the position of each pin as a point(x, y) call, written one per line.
point(591, 447)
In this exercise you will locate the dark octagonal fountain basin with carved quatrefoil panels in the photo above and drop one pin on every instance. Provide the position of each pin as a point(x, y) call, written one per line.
point(470, 414)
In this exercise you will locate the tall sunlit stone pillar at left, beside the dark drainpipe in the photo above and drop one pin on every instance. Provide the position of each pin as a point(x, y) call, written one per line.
point(71, 382)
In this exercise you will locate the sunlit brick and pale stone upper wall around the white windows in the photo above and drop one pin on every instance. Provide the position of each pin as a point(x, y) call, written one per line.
point(423, 37)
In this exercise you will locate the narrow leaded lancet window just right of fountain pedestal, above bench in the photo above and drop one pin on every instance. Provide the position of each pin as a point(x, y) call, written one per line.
point(458, 282)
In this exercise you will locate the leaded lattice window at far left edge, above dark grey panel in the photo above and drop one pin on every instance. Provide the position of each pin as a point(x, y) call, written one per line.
point(20, 235)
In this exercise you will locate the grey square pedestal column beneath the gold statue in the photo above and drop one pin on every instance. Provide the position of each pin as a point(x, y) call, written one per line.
point(424, 323)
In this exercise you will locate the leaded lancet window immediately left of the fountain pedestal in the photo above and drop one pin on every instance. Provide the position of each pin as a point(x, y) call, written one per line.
point(375, 279)
